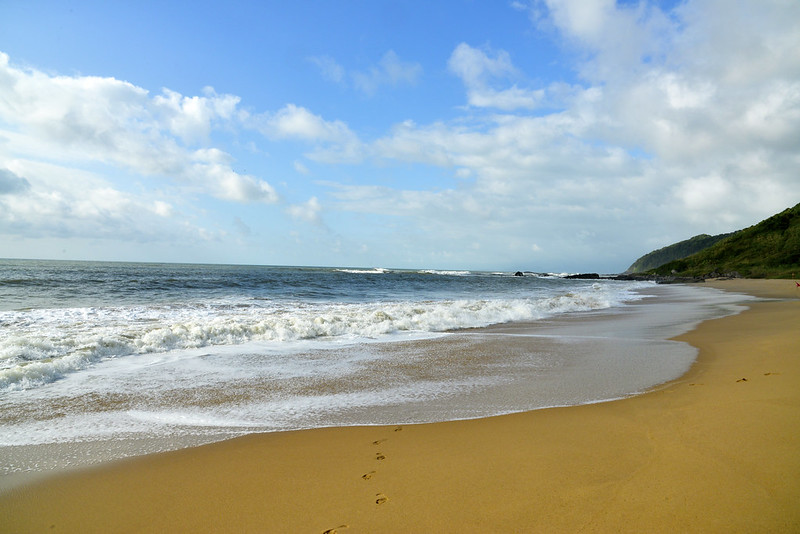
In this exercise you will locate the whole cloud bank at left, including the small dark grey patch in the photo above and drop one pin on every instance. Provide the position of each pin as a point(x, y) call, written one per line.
point(76, 148)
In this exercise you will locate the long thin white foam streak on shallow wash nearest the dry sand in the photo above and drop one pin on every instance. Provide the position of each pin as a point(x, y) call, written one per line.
point(283, 412)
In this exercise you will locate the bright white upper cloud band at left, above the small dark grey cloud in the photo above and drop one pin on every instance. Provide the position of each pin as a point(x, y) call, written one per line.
point(86, 119)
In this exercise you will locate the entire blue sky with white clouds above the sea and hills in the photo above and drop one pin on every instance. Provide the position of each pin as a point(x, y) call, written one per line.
point(542, 135)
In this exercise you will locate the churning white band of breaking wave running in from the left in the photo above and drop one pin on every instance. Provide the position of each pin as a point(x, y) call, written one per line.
point(40, 346)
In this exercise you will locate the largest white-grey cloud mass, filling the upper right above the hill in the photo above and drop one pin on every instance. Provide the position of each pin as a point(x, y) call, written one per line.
point(652, 132)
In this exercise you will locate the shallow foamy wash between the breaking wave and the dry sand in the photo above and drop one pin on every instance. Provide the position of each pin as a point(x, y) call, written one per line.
point(562, 360)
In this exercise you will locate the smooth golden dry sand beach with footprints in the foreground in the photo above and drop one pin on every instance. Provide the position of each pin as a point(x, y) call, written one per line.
point(717, 450)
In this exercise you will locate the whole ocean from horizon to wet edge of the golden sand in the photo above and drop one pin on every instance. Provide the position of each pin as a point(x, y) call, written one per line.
point(104, 360)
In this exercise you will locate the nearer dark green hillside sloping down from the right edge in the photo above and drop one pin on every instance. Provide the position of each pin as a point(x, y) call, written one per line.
point(769, 249)
